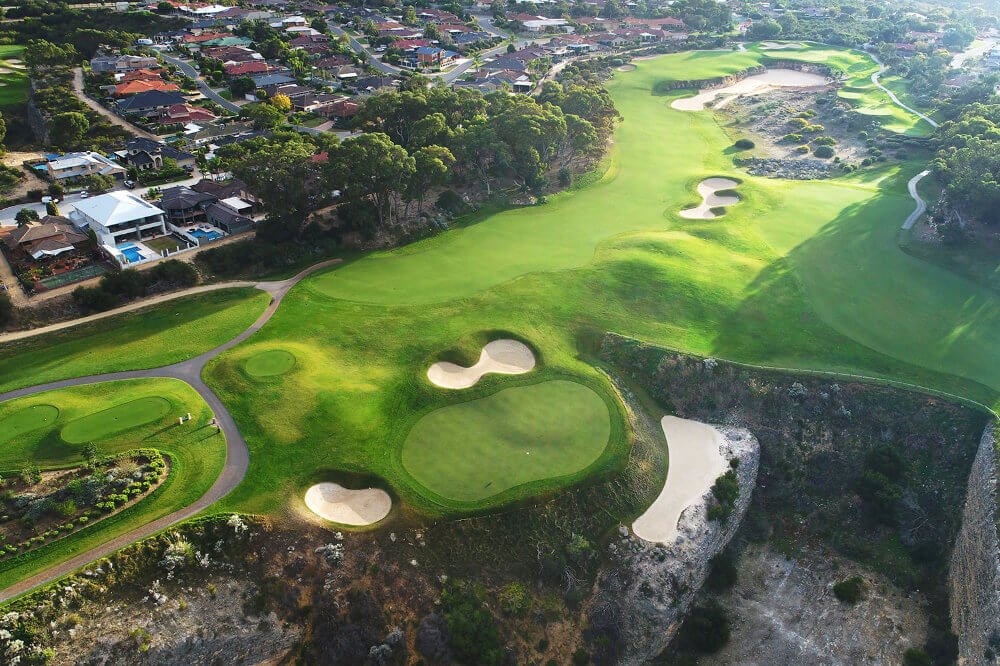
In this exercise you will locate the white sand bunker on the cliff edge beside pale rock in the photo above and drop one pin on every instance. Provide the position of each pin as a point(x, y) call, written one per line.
point(695, 463)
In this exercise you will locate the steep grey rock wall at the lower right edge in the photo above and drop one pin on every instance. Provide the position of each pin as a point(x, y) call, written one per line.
point(975, 562)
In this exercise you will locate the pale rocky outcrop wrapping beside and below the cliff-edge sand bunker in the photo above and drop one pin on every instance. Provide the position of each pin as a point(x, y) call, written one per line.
point(655, 583)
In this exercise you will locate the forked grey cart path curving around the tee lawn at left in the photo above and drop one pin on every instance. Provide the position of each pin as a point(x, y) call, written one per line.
point(189, 371)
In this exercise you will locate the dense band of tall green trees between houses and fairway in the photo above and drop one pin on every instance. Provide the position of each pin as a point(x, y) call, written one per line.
point(417, 141)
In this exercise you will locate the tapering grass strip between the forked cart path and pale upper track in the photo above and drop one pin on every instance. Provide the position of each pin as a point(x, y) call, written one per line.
point(147, 338)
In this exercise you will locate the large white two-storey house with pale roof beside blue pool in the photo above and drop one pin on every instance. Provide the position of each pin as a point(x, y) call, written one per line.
point(118, 217)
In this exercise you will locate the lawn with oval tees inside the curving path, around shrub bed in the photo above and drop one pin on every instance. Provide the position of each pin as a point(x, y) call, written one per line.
point(50, 430)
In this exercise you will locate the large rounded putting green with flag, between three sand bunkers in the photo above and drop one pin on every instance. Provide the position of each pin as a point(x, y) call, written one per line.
point(476, 450)
